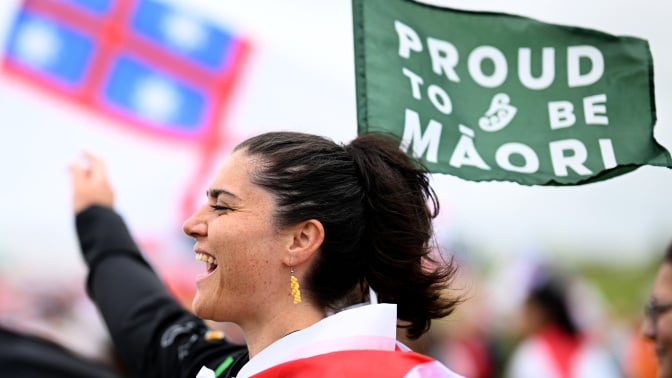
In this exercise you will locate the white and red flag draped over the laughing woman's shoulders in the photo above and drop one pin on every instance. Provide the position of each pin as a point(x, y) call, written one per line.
point(357, 342)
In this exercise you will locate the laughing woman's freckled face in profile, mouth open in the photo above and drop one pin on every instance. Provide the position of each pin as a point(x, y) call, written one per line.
point(236, 238)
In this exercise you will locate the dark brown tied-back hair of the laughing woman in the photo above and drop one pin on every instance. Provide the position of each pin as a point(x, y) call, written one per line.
point(376, 206)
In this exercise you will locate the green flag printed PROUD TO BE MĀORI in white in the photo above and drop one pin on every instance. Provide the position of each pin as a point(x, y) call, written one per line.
point(491, 96)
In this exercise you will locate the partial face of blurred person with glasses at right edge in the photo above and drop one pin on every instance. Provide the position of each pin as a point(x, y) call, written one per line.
point(657, 324)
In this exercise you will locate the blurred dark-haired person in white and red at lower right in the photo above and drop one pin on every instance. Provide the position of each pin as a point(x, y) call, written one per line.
point(554, 345)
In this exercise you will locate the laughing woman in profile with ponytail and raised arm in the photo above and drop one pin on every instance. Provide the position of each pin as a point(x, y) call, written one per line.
point(297, 233)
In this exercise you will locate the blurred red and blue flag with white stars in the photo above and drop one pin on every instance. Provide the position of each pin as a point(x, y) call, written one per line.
point(144, 62)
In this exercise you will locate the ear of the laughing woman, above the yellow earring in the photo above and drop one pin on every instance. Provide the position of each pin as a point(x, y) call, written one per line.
point(307, 238)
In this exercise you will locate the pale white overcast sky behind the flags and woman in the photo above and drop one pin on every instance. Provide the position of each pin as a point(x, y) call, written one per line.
point(301, 77)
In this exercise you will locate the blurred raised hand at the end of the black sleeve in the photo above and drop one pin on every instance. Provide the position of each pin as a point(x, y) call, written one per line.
point(90, 185)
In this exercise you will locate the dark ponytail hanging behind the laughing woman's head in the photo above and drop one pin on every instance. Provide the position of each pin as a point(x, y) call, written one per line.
point(398, 240)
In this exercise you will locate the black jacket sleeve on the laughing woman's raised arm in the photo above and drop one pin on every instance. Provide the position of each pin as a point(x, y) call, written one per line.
point(154, 335)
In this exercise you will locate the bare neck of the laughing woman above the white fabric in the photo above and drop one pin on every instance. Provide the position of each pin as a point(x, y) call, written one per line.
point(261, 334)
